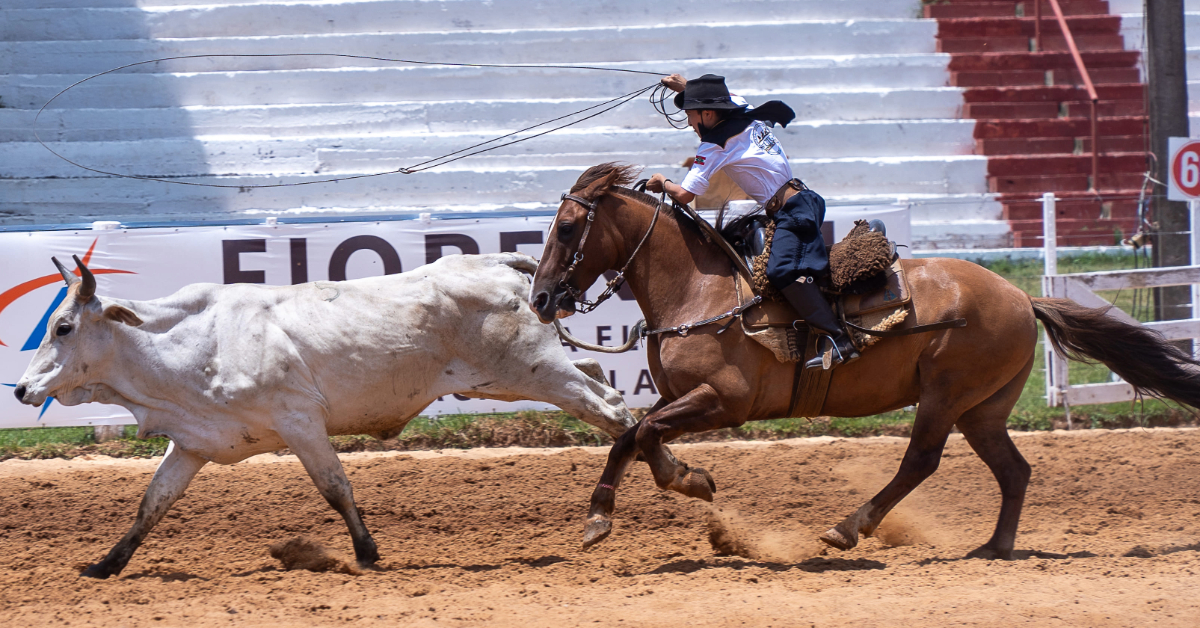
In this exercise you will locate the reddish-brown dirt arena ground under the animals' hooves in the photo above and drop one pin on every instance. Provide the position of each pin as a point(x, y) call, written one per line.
point(1111, 537)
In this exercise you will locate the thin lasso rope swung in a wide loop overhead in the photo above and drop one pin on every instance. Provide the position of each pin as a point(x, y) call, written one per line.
point(659, 94)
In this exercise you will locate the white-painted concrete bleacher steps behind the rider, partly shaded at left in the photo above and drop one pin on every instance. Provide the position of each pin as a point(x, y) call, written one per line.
point(878, 117)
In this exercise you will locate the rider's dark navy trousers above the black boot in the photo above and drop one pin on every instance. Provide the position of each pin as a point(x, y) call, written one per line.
point(797, 249)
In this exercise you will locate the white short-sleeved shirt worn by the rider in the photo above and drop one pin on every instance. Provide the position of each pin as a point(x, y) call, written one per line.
point(754, 159)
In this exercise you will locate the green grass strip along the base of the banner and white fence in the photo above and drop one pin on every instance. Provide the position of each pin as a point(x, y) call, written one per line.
point(557, 429)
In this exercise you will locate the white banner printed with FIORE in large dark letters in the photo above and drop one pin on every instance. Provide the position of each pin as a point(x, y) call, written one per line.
point(148, 264)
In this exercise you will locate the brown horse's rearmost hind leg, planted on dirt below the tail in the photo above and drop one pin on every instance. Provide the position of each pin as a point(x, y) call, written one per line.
point(986, 430)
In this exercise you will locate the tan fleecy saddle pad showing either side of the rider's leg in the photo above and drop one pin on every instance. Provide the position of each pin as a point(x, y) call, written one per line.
point(771, 322)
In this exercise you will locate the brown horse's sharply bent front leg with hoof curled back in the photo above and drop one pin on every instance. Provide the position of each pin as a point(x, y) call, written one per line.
point(700, 411)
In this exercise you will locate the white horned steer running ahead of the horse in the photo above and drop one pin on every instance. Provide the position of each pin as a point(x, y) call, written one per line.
point(230, 372)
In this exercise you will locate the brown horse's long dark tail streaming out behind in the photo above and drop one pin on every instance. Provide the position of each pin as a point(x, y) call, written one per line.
point(1141, 356)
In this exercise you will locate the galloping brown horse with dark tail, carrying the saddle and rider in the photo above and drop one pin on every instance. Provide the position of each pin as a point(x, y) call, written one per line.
point(968, 378)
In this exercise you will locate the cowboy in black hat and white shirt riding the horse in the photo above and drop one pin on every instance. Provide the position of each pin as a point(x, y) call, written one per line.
point(737, 140)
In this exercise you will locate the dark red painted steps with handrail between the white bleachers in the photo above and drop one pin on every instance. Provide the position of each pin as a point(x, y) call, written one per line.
point(1034, 116)
